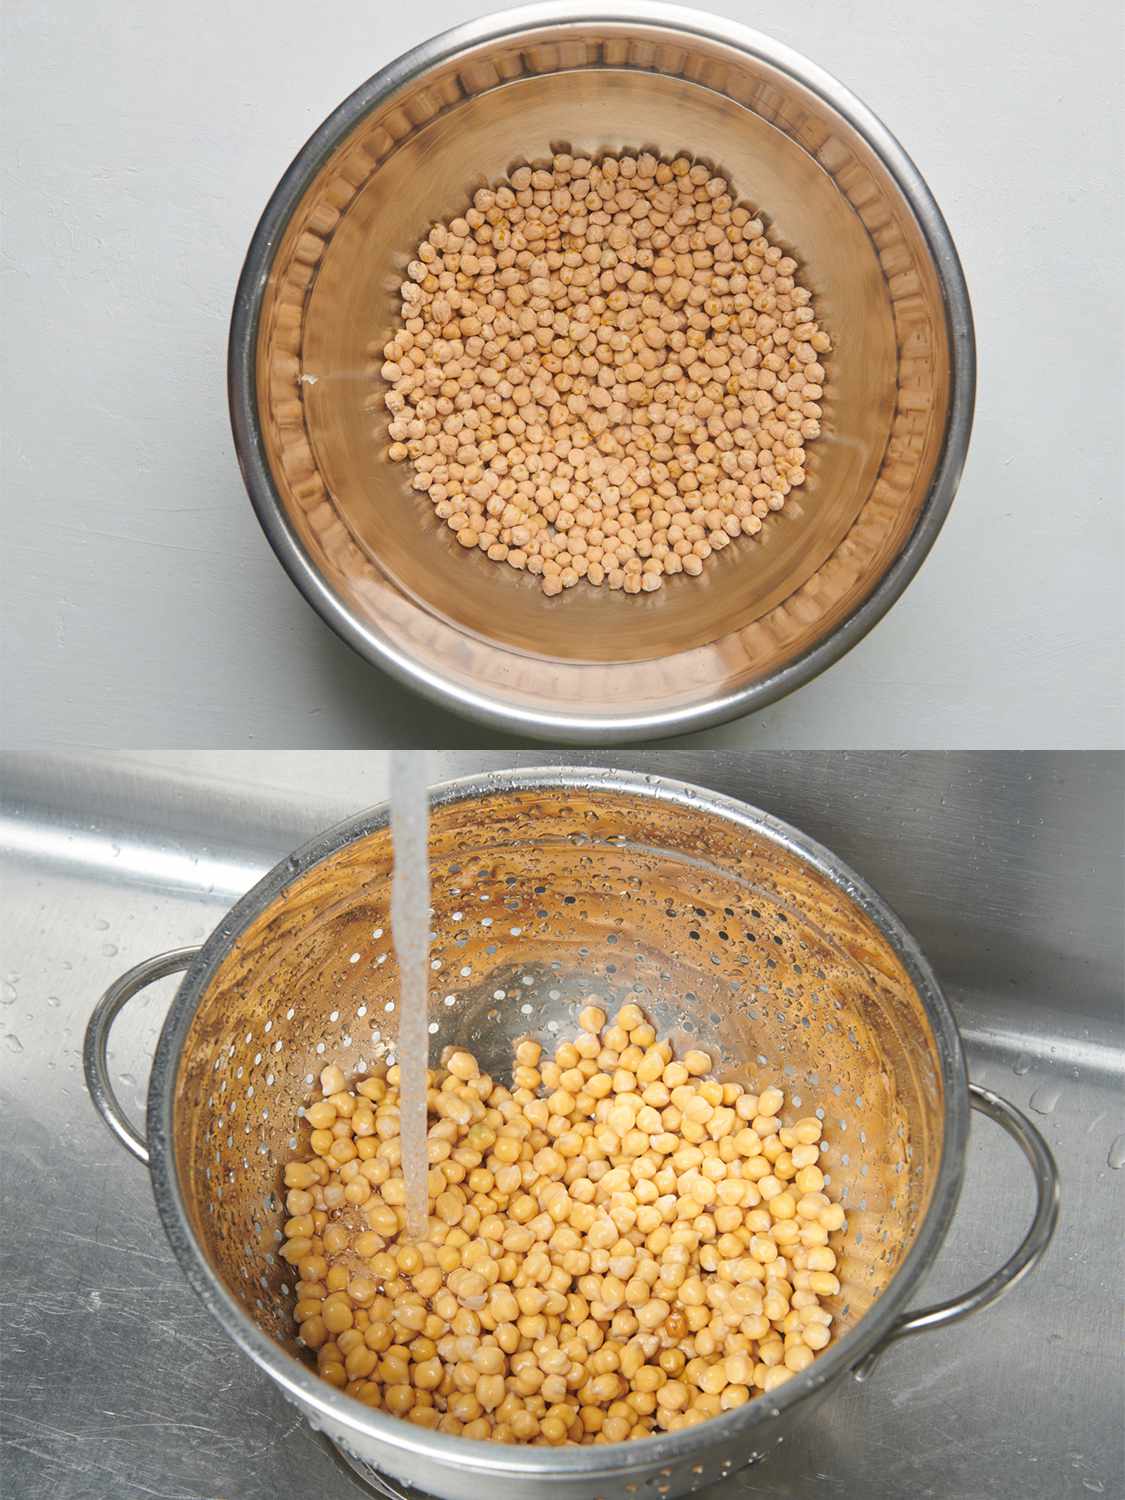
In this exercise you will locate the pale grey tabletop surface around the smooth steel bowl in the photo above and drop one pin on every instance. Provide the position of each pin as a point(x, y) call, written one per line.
point(146, 608)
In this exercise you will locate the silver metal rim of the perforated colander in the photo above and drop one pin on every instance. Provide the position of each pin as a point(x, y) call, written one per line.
point(344, 1414)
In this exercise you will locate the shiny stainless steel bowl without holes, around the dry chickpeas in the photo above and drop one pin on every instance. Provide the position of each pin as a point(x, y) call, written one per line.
point(319, 298)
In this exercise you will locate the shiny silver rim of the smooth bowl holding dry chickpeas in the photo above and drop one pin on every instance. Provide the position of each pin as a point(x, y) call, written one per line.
point(443, 688)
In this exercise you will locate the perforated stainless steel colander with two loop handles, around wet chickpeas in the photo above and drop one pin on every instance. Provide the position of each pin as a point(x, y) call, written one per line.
point(734, 931)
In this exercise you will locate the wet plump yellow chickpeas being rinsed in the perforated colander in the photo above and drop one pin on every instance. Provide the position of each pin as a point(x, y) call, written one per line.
point(619, 1246)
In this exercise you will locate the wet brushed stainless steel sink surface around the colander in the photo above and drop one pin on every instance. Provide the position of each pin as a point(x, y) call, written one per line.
point(1007, 868)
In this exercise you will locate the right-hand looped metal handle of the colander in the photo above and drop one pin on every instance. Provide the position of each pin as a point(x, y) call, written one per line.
point(1022, 1261)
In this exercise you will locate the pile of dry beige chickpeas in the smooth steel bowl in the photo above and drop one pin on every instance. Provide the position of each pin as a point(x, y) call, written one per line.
point(605, 371)
